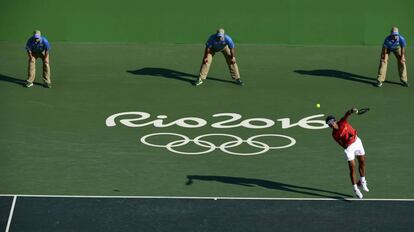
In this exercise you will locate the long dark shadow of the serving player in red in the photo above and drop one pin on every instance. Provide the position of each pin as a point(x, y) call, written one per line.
point(251, 182)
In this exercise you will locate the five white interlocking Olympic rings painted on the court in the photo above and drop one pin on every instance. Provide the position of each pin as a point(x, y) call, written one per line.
point(224, 147)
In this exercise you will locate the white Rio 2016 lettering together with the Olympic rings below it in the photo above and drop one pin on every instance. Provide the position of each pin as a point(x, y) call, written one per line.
point(228, 120)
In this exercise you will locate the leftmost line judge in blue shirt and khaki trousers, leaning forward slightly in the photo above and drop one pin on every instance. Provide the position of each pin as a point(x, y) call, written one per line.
point(37, 46)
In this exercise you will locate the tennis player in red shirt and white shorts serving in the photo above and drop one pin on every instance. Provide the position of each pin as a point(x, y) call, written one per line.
point(346, 136)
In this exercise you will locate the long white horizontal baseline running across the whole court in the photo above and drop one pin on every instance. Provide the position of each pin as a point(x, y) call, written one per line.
point(208, 198)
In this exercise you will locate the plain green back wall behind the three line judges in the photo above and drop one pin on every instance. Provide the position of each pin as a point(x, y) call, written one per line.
point(325, 22)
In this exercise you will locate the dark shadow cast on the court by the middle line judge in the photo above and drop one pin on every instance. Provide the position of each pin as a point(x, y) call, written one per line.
point(171, 74)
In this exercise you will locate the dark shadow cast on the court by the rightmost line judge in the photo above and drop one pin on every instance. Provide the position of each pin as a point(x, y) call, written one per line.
point(341, 75)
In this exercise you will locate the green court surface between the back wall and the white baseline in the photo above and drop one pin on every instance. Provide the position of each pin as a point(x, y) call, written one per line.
point(57, 141)
